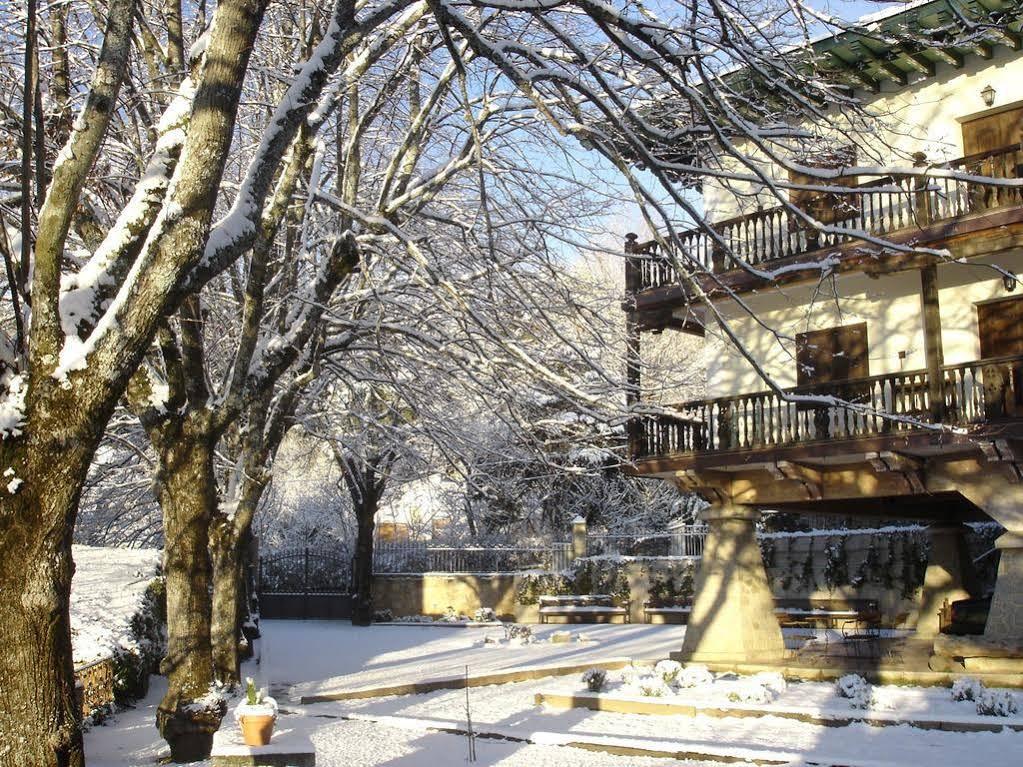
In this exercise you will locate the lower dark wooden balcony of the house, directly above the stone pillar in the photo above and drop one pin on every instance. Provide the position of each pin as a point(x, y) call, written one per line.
point(826, 420)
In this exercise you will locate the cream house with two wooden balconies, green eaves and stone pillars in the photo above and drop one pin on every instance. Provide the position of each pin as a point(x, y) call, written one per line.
point(871, 327)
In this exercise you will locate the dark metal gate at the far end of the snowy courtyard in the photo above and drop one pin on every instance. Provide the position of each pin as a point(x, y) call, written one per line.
point(306, 583)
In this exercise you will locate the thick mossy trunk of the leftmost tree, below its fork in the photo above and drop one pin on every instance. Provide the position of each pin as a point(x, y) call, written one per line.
point(39, 719)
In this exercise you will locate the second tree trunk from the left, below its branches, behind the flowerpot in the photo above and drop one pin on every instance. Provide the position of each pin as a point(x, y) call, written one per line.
point(188, 498)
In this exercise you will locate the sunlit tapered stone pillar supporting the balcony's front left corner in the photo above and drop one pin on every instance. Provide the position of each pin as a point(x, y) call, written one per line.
point(733, 619)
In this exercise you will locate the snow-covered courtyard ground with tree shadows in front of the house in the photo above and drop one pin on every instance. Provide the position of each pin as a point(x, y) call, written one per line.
point(398, 731)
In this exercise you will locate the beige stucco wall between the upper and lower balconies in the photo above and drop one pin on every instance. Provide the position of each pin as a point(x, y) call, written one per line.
point(891, 306)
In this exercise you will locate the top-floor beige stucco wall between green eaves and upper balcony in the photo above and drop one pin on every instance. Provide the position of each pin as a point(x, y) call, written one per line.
point(926, 117)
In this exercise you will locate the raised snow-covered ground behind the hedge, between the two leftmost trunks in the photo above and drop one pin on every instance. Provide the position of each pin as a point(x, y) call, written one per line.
point(106, 592)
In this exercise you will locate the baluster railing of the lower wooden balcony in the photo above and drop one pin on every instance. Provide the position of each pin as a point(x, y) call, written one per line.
point(974, 393)
